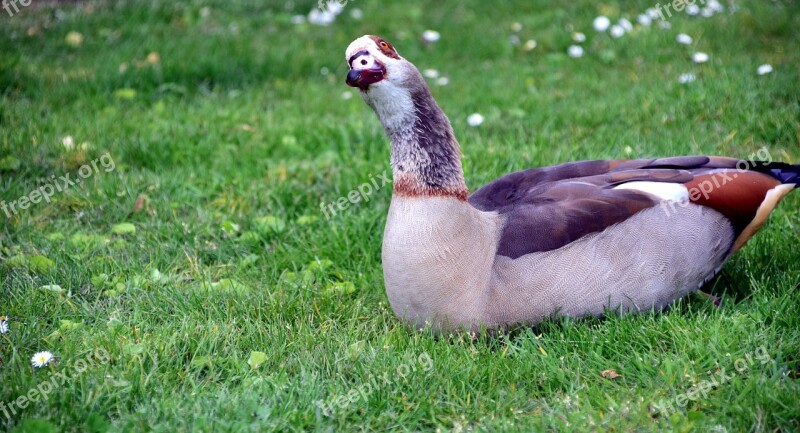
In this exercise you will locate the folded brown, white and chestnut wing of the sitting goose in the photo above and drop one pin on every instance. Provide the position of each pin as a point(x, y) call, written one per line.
point(548, 208)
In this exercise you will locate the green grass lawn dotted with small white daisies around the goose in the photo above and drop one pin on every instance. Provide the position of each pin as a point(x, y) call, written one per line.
point(190, 281)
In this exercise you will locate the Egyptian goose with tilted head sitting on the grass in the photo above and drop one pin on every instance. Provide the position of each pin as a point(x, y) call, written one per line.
point(575, 239)
